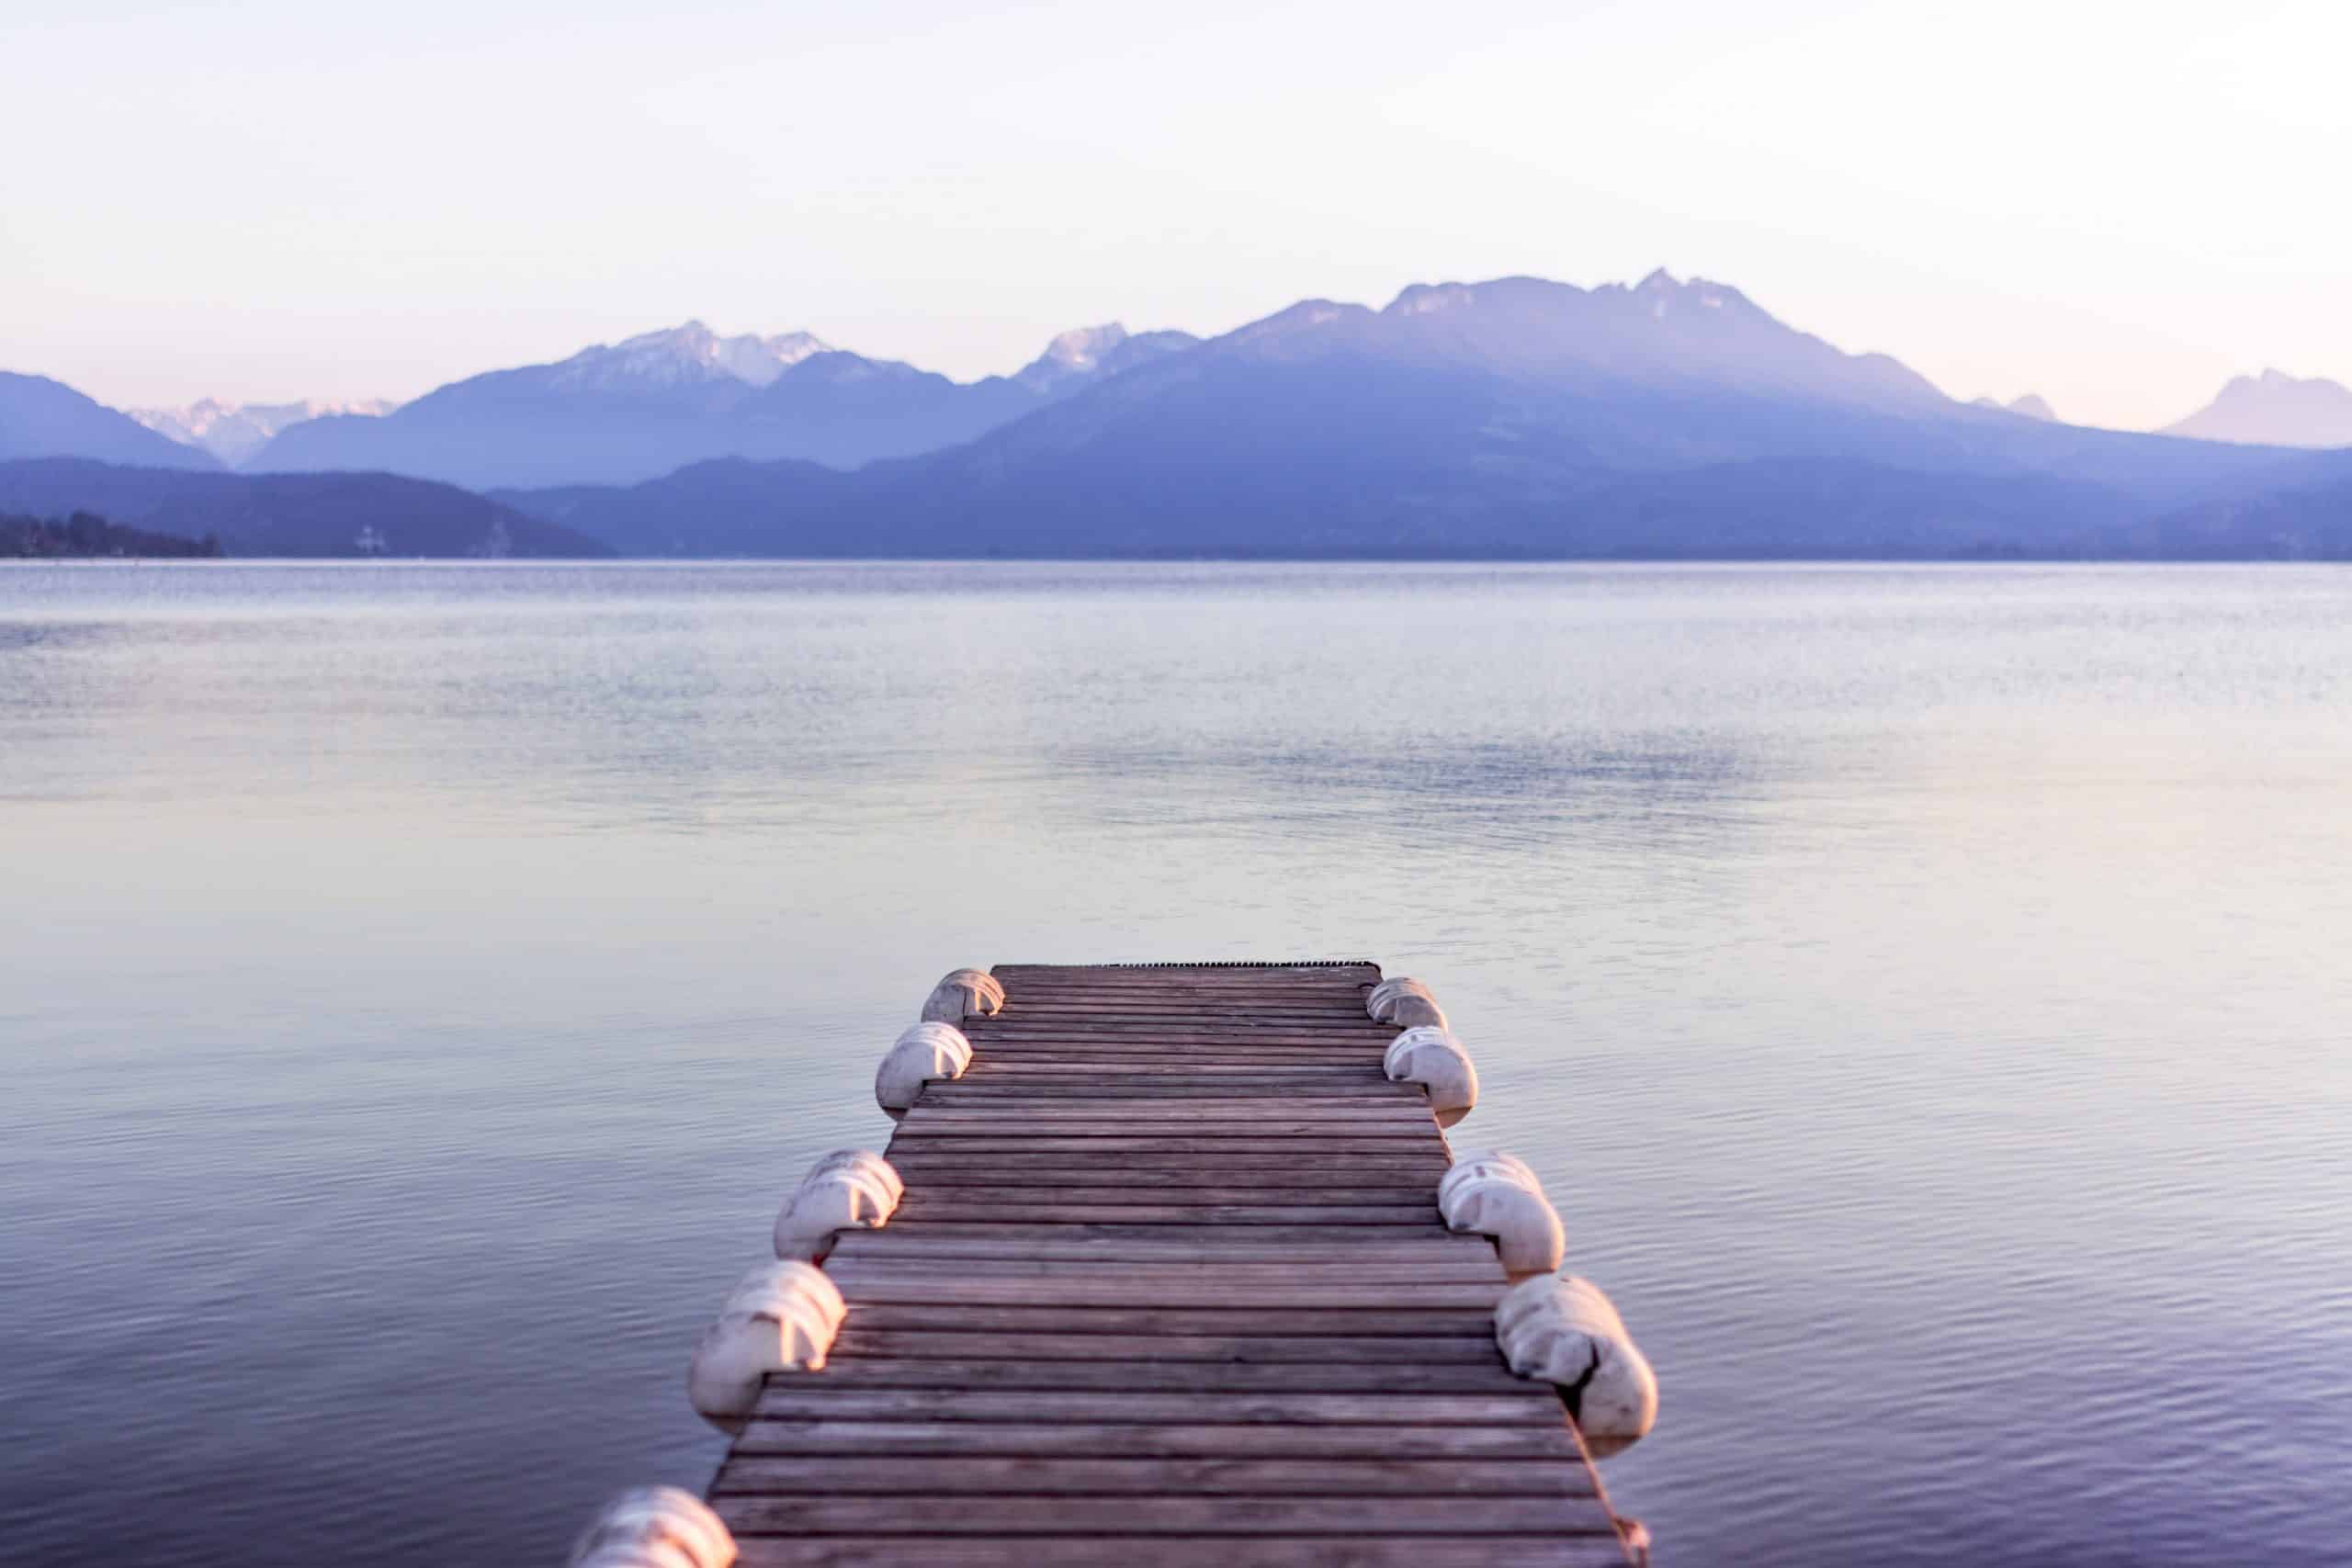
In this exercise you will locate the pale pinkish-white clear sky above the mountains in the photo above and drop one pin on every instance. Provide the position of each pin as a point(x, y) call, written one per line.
point(2113, 206)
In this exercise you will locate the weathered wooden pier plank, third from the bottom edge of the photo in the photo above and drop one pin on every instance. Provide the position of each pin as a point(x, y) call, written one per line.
point(982, 1475)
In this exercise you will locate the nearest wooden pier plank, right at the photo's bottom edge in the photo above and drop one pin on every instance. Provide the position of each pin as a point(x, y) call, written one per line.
point(874, 1550)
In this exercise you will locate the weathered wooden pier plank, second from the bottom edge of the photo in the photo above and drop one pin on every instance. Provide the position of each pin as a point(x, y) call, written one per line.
point(1163, 1515)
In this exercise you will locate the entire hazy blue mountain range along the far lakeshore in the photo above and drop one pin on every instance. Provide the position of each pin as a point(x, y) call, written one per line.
point(1497, 420)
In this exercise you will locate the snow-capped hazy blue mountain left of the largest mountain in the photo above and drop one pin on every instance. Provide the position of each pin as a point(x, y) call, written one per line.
point(662, 401)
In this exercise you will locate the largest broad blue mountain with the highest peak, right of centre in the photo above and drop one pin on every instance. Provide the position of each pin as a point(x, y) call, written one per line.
point(1504, 420)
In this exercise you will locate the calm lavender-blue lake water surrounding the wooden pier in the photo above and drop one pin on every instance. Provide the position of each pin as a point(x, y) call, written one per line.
point(1925, 991)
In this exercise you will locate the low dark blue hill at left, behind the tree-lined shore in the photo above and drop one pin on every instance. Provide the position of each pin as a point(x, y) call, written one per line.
point(309, 516)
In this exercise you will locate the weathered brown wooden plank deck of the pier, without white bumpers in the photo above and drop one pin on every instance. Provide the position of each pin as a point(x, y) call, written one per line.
point(1168, 1287)
